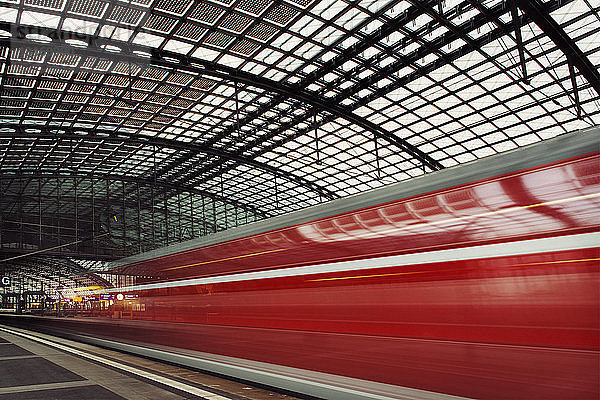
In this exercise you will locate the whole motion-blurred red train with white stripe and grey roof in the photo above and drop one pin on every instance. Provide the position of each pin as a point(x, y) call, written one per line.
point(479, 281)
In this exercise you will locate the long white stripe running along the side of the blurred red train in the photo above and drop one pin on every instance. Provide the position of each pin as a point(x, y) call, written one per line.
point(522, 247)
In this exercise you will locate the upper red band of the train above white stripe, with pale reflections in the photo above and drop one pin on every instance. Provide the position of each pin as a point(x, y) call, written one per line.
point(231, 256)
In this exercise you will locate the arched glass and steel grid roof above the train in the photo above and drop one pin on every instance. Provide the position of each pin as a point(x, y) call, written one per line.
point(254, 108)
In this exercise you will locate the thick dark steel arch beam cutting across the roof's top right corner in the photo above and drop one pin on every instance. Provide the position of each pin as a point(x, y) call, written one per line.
point(539, 14)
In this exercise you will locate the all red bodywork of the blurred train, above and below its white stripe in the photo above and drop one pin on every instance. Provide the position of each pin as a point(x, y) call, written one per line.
point(520, 326)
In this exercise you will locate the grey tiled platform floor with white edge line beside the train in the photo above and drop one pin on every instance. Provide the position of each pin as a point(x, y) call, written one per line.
point(39, 366)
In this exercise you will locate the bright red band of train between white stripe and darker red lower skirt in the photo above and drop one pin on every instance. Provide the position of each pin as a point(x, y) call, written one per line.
point(562, 314)
